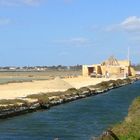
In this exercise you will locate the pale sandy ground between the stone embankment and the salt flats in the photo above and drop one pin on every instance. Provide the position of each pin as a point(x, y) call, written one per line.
point(17, 90)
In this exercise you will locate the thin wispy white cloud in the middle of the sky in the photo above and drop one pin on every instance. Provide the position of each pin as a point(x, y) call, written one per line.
point(79, 42)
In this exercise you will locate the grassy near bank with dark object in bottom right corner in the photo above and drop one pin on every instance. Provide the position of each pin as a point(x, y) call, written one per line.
point(126, 129)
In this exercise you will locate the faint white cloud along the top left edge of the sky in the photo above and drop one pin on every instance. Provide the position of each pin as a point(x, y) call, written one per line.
point(19, 2)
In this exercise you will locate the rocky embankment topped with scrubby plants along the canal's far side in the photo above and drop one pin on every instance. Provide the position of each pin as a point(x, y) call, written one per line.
point(10, 108)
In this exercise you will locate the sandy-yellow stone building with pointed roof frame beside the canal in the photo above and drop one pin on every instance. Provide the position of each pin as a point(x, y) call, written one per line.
point(110, 67)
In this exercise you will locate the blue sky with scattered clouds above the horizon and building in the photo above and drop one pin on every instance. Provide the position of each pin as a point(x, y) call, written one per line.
point(68, 32)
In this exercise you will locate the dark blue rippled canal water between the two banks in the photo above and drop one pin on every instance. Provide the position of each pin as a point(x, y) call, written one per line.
point(78, 120)
